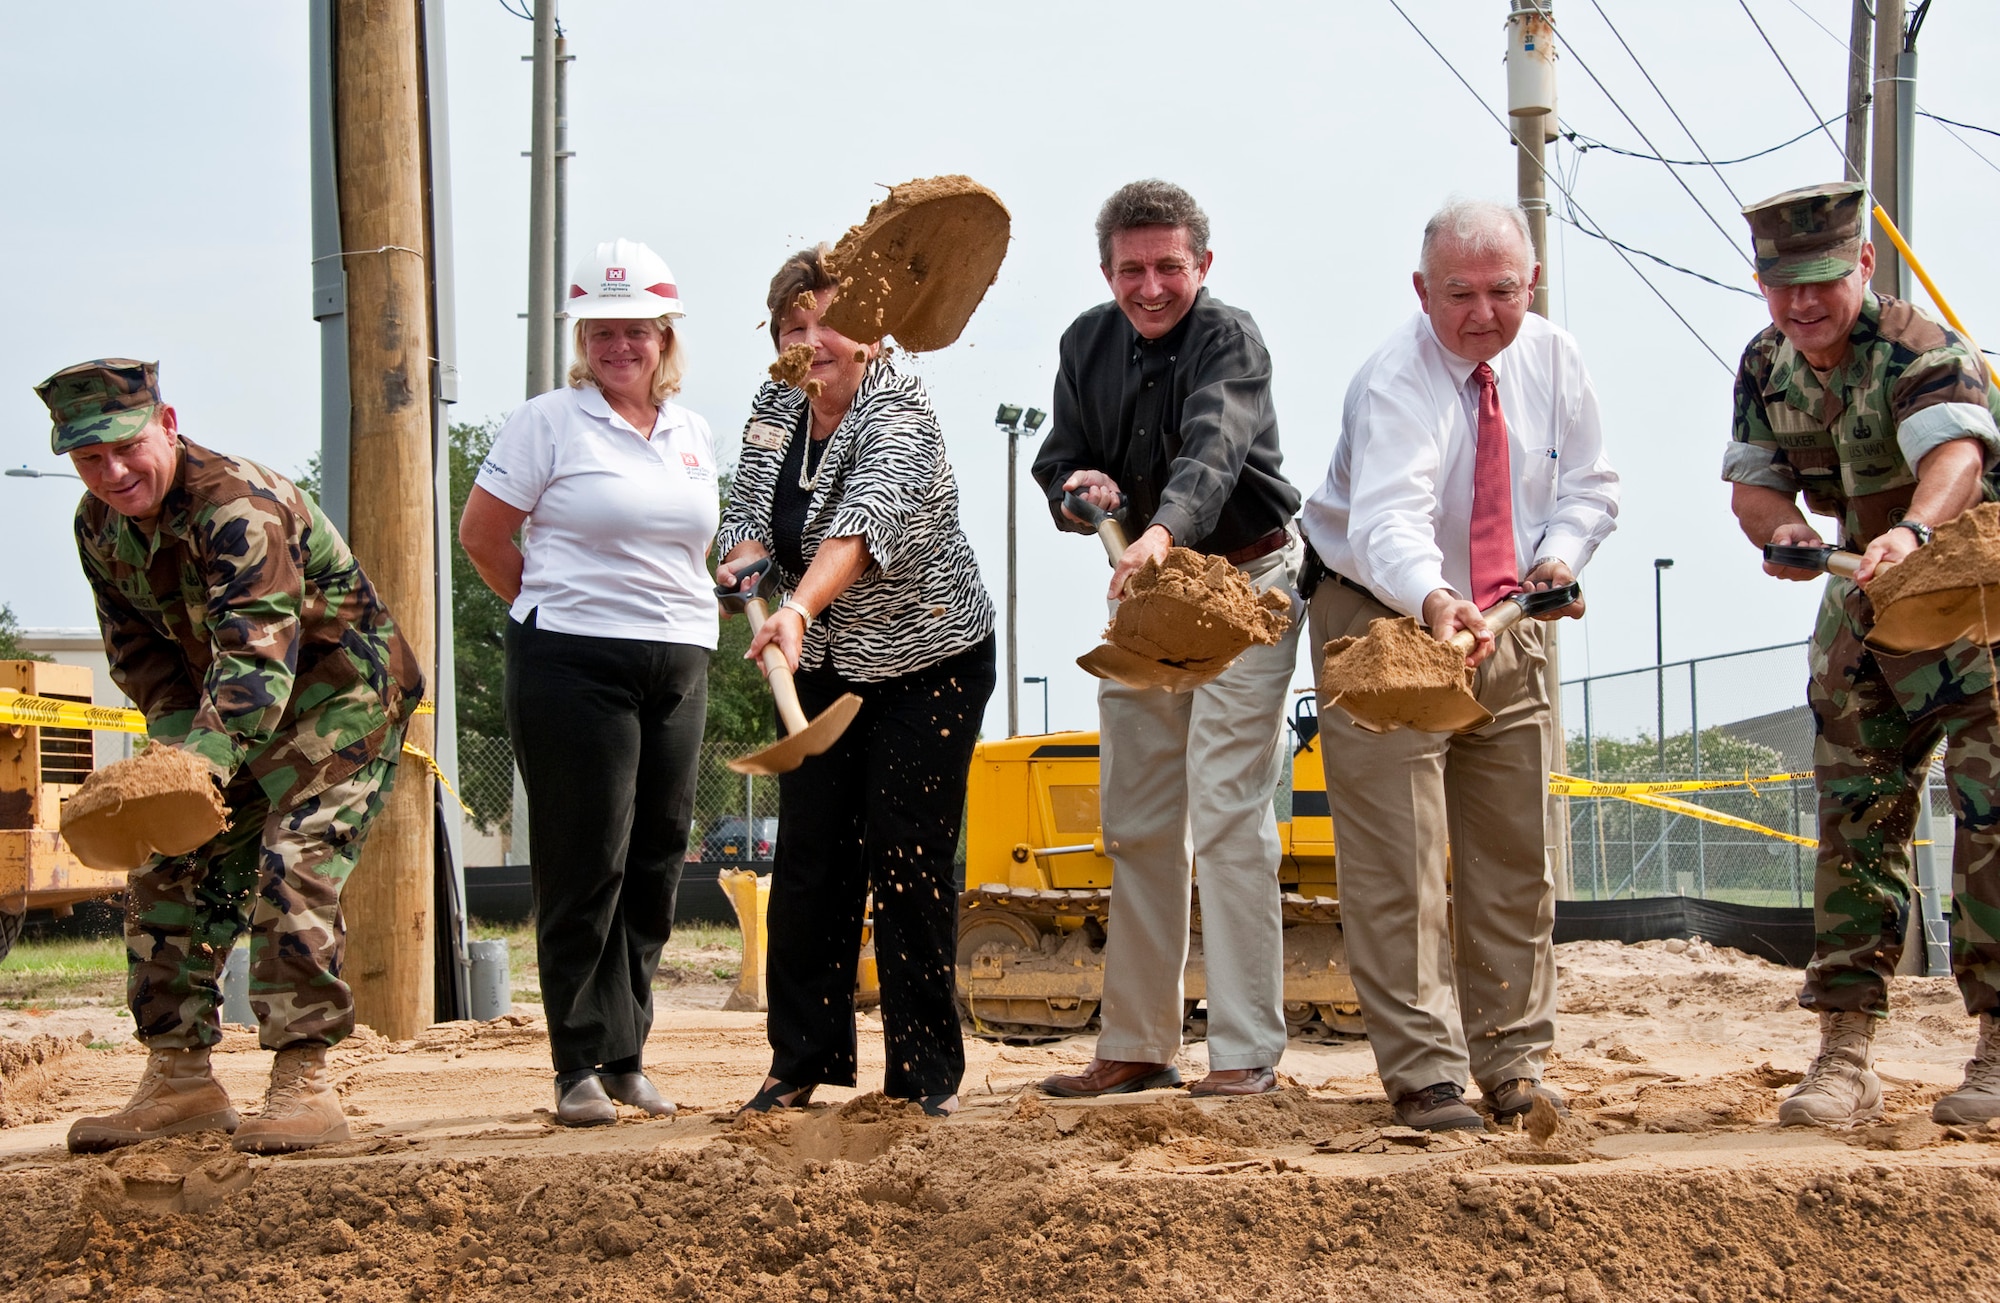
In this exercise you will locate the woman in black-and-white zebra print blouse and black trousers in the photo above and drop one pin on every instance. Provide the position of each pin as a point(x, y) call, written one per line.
point(851, 497)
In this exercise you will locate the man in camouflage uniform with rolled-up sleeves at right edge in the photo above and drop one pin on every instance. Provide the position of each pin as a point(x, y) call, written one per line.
point(1887, 421)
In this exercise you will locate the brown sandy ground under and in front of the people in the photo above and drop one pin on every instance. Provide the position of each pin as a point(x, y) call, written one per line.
point(1669, 1182)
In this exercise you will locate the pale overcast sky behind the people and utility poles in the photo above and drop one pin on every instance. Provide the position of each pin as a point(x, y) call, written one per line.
point(161, 211)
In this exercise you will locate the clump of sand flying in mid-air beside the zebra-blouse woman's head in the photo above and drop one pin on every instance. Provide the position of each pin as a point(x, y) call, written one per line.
point(921, 263)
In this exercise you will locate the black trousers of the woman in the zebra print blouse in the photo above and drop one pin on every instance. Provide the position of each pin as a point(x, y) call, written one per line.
point(881, 812)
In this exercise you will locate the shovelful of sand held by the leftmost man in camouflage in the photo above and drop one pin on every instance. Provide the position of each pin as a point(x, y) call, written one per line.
point(159, 802)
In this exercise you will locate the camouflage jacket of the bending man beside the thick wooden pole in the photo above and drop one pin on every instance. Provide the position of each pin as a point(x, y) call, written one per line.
point(245, 629)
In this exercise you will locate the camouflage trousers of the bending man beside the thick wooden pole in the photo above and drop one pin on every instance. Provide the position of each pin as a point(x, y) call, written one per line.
point(275, 874)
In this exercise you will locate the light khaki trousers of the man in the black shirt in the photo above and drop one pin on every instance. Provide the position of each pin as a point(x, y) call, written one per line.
point(1187, 778)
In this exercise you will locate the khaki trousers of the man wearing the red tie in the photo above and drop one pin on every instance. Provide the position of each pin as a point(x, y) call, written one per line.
point(1459, 984)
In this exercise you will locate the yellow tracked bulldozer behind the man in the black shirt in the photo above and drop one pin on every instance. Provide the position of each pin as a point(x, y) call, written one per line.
point(1039, 888)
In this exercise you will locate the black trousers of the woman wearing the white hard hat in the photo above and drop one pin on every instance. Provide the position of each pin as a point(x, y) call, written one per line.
point(607, 736)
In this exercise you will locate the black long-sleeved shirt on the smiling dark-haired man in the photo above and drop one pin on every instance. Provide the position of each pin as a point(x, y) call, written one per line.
point(1185, 425)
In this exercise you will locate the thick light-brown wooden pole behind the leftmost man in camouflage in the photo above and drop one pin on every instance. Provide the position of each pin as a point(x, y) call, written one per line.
point(391, 525)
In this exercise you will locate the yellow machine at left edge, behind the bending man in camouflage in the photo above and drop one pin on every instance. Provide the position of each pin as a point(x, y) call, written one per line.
point(39, 770)
